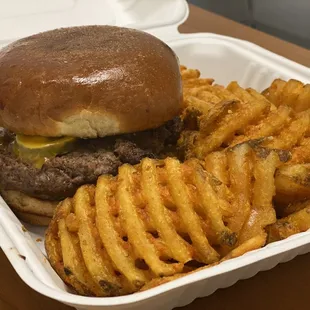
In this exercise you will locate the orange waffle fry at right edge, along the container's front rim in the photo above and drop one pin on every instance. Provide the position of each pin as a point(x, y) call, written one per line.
point(293, 224)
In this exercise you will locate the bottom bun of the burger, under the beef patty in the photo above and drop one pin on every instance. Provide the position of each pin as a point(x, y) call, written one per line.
point(28, 209)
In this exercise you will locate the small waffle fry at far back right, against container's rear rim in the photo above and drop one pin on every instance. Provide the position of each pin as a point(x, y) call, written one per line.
point(291, 93)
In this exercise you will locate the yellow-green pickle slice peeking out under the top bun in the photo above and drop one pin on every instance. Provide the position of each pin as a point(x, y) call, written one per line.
point(36, 149)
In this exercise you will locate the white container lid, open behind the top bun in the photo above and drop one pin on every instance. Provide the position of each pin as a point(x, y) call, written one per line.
point(20, 18)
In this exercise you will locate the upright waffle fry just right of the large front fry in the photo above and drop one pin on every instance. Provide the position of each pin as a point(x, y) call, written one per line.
point(248, 171)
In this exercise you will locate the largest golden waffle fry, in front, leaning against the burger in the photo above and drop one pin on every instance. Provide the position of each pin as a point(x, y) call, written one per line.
point(113, 238)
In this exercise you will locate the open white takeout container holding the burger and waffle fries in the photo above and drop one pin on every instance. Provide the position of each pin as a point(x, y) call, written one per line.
point(219, 57)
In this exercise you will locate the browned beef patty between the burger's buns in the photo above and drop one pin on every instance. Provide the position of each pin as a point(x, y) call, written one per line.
point(60, 176)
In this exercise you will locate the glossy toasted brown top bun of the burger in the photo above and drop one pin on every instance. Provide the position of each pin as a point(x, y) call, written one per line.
point(88, 82)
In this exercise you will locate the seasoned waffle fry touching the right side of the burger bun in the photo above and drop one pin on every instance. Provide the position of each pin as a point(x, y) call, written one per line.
point(215, 122)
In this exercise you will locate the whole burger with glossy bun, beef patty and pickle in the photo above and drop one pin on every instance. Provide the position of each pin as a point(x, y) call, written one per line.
point(76, 103)
